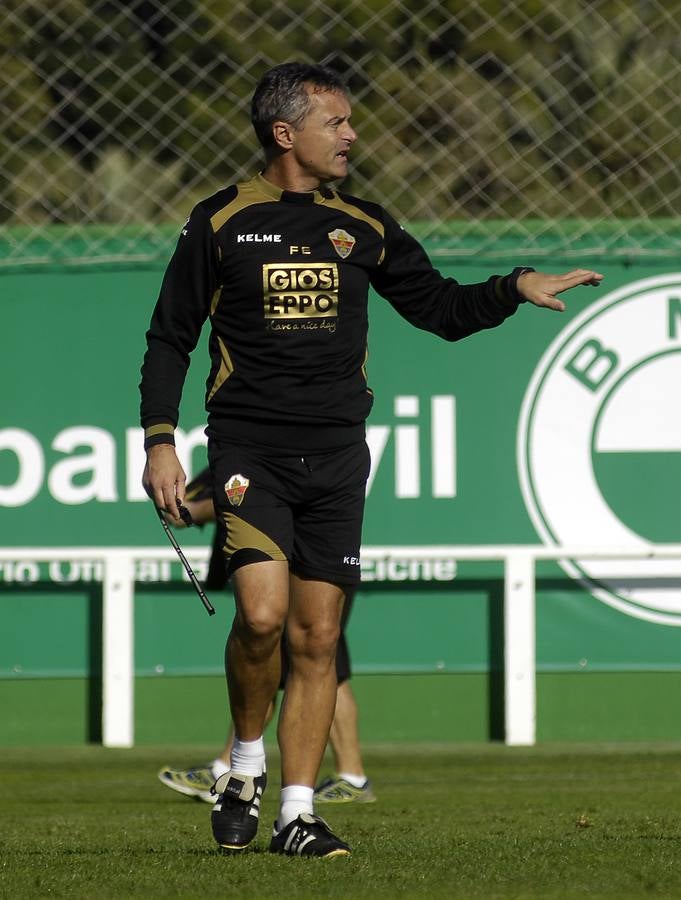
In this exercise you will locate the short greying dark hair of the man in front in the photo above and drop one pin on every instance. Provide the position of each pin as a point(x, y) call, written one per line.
point(281, 94)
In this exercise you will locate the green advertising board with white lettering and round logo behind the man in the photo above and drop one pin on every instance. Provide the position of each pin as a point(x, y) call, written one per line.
point(556, 429)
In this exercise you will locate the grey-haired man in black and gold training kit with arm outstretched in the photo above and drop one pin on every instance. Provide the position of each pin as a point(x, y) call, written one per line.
point(282, 266)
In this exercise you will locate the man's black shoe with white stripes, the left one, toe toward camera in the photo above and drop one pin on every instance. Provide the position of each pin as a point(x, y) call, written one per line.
point(235, 815)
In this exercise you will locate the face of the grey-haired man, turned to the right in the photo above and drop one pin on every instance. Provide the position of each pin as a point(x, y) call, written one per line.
point(320, 146)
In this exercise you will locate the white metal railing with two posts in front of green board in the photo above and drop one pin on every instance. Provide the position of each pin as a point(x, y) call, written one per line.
point(118, 585)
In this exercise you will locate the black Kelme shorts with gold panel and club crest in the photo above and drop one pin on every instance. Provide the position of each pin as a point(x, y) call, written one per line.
point(307, 510)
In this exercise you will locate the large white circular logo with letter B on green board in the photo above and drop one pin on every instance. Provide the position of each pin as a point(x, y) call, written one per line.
point(599, 444)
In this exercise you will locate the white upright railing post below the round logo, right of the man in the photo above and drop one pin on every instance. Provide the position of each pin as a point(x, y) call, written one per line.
point(519, 650)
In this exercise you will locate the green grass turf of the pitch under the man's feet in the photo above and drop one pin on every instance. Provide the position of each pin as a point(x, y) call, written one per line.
point(450, 822)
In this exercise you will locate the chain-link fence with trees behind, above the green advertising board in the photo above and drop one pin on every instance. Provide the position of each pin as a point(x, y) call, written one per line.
point(537, 126)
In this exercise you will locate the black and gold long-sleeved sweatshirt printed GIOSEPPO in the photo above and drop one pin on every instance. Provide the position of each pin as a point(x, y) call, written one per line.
point(284, 278)
